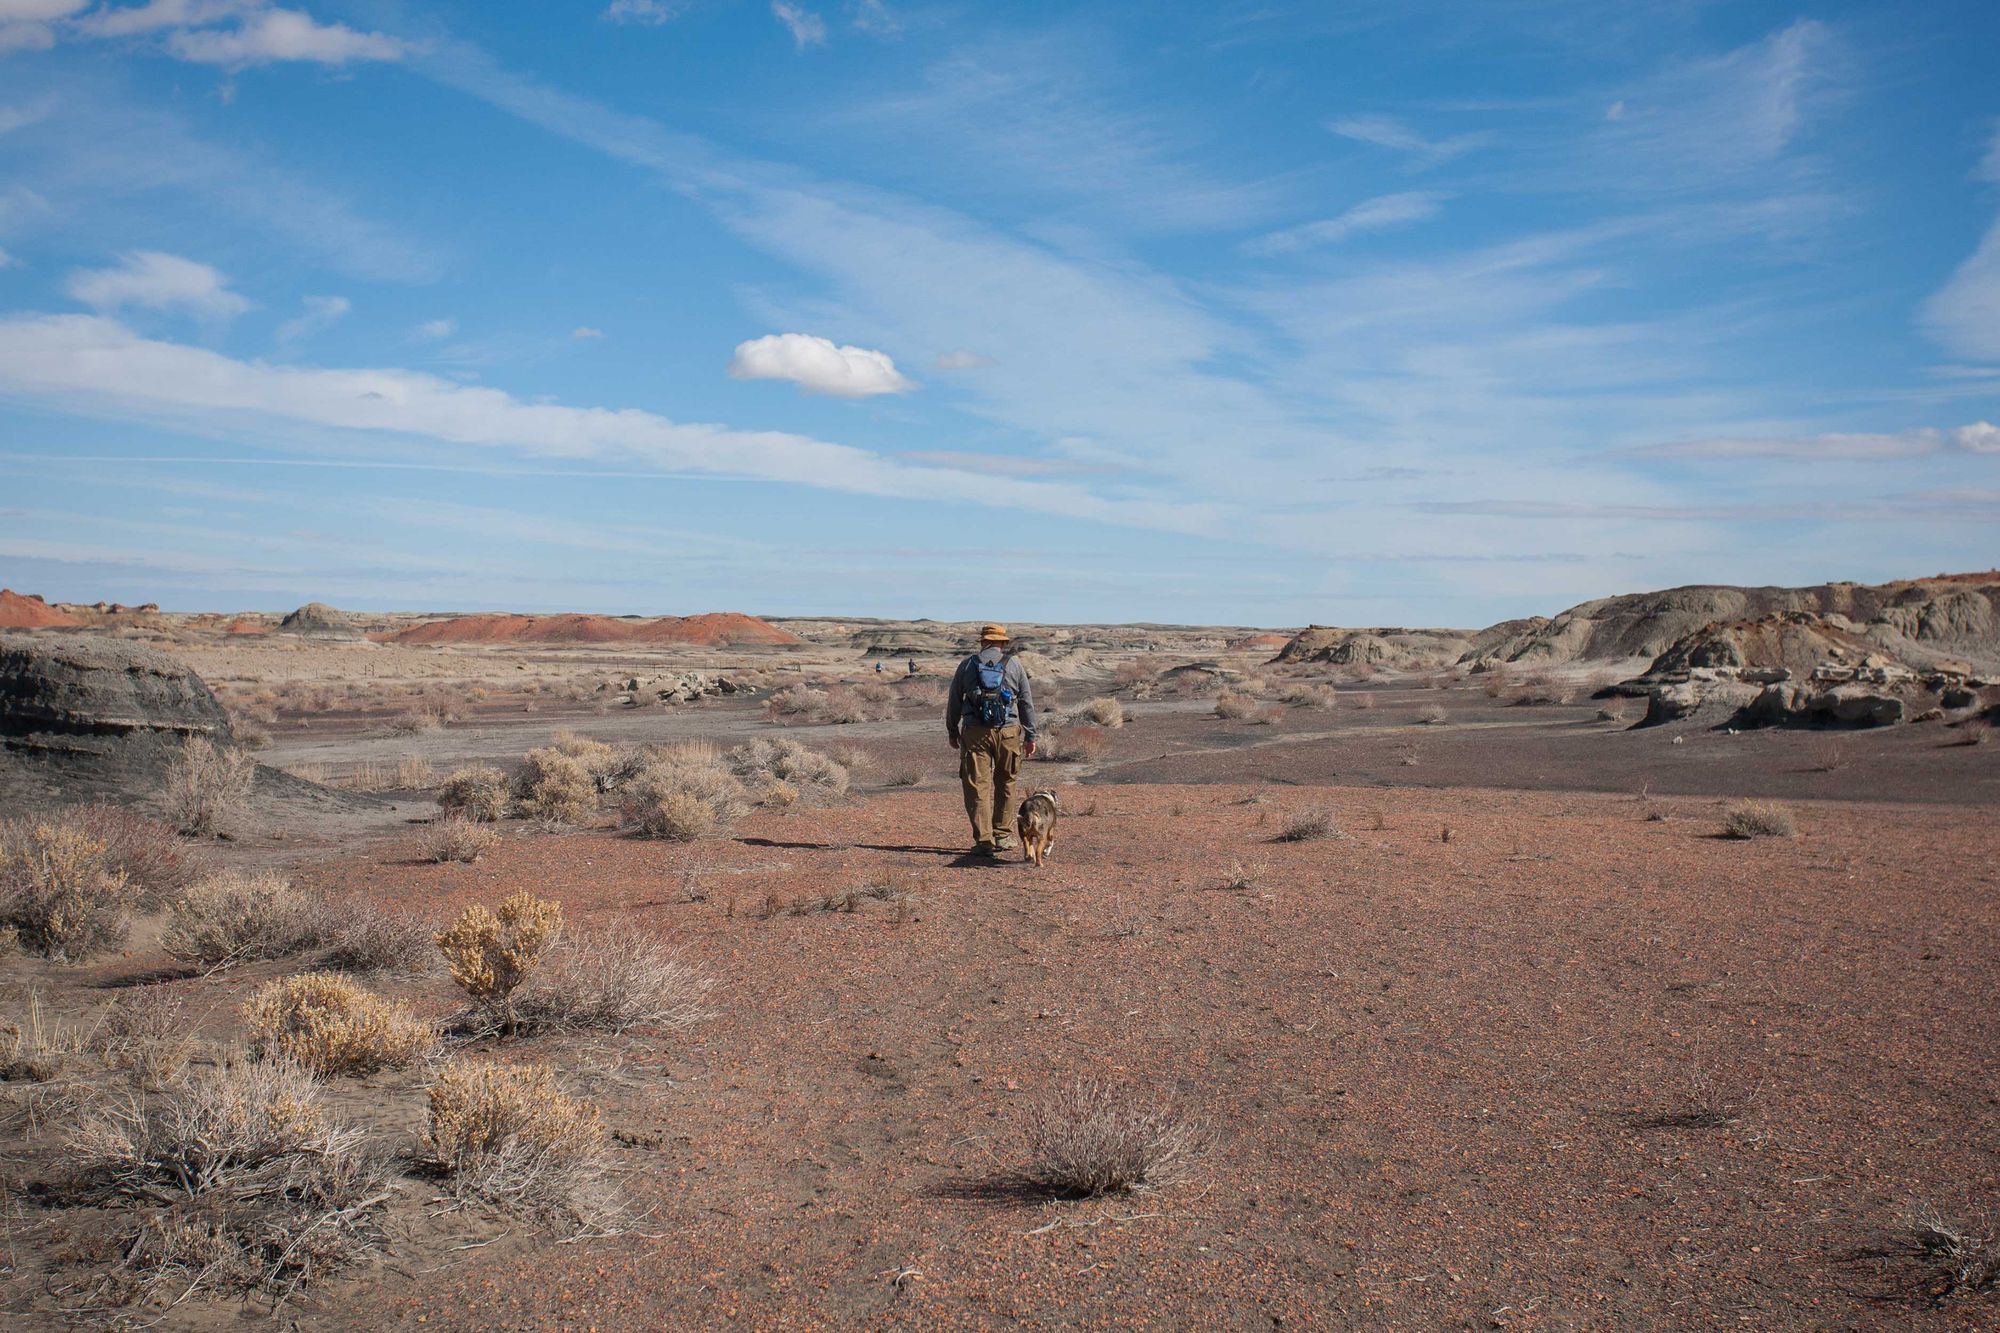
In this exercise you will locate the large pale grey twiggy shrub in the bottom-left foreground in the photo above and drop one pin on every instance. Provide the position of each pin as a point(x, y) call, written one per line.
point(243, 1182)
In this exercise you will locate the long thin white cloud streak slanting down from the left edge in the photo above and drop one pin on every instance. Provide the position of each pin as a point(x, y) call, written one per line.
point(101, 367)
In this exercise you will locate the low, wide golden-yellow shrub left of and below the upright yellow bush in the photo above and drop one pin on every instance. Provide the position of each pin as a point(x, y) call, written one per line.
point(331, 1026)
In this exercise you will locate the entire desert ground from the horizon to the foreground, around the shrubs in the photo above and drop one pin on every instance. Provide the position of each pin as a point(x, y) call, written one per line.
point(1469, 1006)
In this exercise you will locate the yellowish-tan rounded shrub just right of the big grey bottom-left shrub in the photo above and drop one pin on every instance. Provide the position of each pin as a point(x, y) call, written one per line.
point(509, 1136)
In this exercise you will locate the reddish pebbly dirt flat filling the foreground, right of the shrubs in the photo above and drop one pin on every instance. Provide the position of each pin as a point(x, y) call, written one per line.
point(1445, 1074)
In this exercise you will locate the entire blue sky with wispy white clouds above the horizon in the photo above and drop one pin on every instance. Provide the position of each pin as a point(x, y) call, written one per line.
point(1357, 313)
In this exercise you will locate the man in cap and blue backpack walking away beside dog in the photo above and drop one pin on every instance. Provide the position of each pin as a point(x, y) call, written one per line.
point(989, 720)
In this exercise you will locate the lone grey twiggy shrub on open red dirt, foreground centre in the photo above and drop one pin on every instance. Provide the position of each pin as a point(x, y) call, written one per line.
point(1089, 1138)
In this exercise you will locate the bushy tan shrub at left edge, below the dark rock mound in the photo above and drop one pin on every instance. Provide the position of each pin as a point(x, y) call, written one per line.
point(61, 892)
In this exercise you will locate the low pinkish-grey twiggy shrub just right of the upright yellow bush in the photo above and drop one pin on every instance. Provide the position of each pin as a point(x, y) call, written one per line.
point(613, 982)
